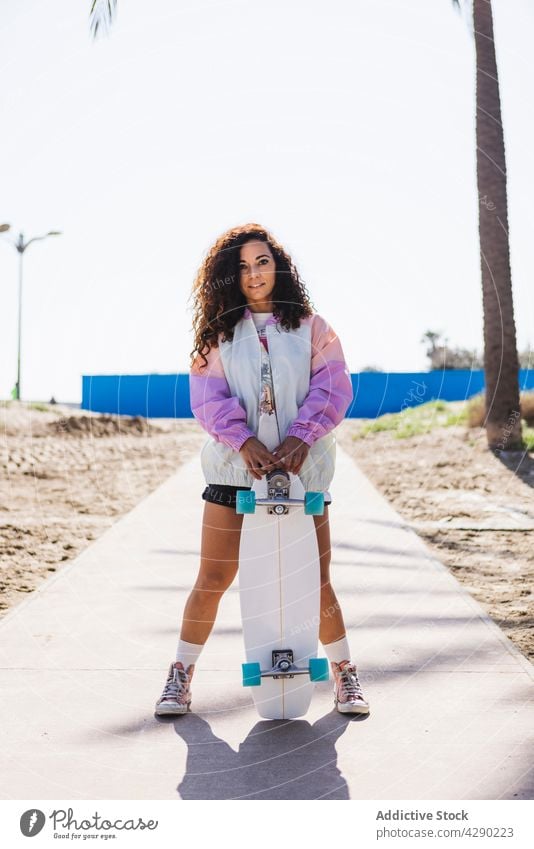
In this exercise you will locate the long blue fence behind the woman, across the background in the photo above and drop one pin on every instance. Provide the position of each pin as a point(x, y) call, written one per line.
point(375, 393)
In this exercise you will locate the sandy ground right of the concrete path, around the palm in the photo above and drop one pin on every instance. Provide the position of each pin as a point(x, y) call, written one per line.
point(474, 511)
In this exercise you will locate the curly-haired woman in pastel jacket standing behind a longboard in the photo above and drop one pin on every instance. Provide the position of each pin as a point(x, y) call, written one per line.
point(248, 289)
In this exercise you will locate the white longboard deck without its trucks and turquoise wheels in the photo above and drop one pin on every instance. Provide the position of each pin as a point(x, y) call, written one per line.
point(279, 586)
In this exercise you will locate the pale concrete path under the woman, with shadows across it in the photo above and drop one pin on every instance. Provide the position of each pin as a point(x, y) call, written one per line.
point(84, 659)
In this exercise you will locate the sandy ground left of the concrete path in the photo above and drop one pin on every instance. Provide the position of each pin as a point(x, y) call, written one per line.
point(67, 476)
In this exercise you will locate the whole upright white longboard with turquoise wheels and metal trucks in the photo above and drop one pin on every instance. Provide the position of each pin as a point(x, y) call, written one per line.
point(279, 588)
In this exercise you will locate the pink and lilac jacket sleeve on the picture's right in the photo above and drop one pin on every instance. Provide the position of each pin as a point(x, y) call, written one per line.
point(330, 392)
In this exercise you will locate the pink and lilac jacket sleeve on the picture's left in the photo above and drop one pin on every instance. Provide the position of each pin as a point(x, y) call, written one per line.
point(212, 404)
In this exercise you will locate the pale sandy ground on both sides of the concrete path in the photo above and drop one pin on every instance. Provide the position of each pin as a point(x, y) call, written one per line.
point(68, 475)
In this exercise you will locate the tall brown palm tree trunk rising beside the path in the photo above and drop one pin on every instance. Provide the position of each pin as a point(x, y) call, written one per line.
point(503, 420)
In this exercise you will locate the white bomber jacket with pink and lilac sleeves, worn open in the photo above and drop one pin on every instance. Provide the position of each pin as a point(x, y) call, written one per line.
point(312, 392)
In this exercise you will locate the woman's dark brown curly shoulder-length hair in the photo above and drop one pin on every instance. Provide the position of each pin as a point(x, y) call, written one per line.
point(218, 300)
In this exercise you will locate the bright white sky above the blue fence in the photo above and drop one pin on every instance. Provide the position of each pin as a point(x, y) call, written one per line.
point(346, 128)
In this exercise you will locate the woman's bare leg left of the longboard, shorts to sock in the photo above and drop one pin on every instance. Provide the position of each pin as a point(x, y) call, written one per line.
point(219, 561)
